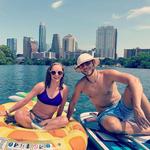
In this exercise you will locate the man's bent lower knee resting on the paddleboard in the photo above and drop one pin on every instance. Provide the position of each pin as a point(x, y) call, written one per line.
point(112, 124)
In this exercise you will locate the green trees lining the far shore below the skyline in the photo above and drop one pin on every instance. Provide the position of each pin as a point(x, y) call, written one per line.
point(140, 61)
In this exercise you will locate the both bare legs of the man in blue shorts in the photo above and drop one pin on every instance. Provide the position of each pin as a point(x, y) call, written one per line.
point(113, 124)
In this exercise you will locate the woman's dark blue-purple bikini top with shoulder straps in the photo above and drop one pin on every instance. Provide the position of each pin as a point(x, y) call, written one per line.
point(43, 97)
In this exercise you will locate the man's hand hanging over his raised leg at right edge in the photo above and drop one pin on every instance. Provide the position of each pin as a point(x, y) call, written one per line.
point(140, 118)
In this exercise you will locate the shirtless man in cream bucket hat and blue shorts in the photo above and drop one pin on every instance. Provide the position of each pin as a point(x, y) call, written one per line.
point(115, 110)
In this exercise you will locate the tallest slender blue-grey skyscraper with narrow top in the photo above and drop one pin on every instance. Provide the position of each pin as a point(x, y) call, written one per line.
point(42, 37)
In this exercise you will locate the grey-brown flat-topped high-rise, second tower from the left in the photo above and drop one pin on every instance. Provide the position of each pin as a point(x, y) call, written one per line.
point(27, 47)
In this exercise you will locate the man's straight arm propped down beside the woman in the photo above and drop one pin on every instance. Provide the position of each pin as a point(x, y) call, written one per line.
point(74, 100)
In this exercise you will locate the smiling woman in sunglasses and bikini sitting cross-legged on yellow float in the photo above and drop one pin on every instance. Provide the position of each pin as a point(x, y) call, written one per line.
point(52, 96)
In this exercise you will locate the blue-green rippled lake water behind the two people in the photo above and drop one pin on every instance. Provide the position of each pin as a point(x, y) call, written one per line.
point(15, 78)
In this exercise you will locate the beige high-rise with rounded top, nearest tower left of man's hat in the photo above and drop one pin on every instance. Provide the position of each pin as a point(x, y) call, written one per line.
point(69, 44)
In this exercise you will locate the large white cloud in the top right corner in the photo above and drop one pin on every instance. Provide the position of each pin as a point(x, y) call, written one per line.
point(138, 12)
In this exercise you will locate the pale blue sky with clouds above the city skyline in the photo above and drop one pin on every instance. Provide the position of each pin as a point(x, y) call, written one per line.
point(81, 18)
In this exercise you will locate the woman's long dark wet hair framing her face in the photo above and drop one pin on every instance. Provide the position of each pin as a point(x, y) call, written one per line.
point(48, 76)
